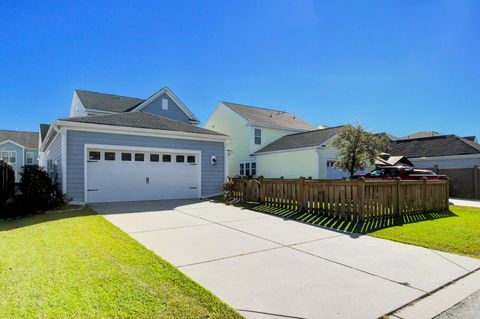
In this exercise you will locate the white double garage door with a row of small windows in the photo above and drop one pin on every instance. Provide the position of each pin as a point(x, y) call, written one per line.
point(126, 175)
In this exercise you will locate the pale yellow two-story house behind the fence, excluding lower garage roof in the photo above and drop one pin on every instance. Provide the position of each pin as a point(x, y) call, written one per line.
point(251, 129)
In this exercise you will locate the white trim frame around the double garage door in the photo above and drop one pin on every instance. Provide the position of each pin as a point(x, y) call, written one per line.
point(86, 147)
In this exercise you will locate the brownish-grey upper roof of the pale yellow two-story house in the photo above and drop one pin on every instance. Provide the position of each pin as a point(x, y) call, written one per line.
point(270, 118)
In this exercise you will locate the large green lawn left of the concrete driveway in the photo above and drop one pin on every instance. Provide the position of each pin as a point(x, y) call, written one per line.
point(77, 265)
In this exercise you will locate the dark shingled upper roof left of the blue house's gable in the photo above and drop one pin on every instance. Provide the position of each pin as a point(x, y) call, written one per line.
point(107, 102)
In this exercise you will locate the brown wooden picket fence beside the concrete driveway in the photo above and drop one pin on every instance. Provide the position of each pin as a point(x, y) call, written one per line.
point(355, 200)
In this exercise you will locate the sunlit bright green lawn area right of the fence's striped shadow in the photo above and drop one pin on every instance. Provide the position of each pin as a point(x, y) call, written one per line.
point(458, 234)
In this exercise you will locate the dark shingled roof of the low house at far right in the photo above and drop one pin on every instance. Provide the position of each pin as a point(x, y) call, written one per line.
point(441, 145)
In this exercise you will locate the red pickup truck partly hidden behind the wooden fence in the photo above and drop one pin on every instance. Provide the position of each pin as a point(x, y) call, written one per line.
point(408, 173)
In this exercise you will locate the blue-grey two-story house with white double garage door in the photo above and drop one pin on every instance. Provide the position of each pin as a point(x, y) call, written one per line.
point(117, 148)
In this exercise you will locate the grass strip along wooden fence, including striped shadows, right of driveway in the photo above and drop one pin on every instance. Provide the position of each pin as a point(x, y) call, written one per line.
point(456, 231)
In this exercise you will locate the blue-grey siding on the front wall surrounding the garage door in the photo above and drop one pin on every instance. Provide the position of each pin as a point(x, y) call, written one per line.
point(212, 175)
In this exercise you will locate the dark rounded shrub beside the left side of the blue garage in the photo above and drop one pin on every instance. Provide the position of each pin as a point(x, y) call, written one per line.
point(38, 190)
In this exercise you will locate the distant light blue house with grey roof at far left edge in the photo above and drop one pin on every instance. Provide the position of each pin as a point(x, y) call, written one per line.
point(18, 149)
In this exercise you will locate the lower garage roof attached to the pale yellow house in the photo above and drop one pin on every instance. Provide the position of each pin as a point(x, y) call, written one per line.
point(301, 140)
